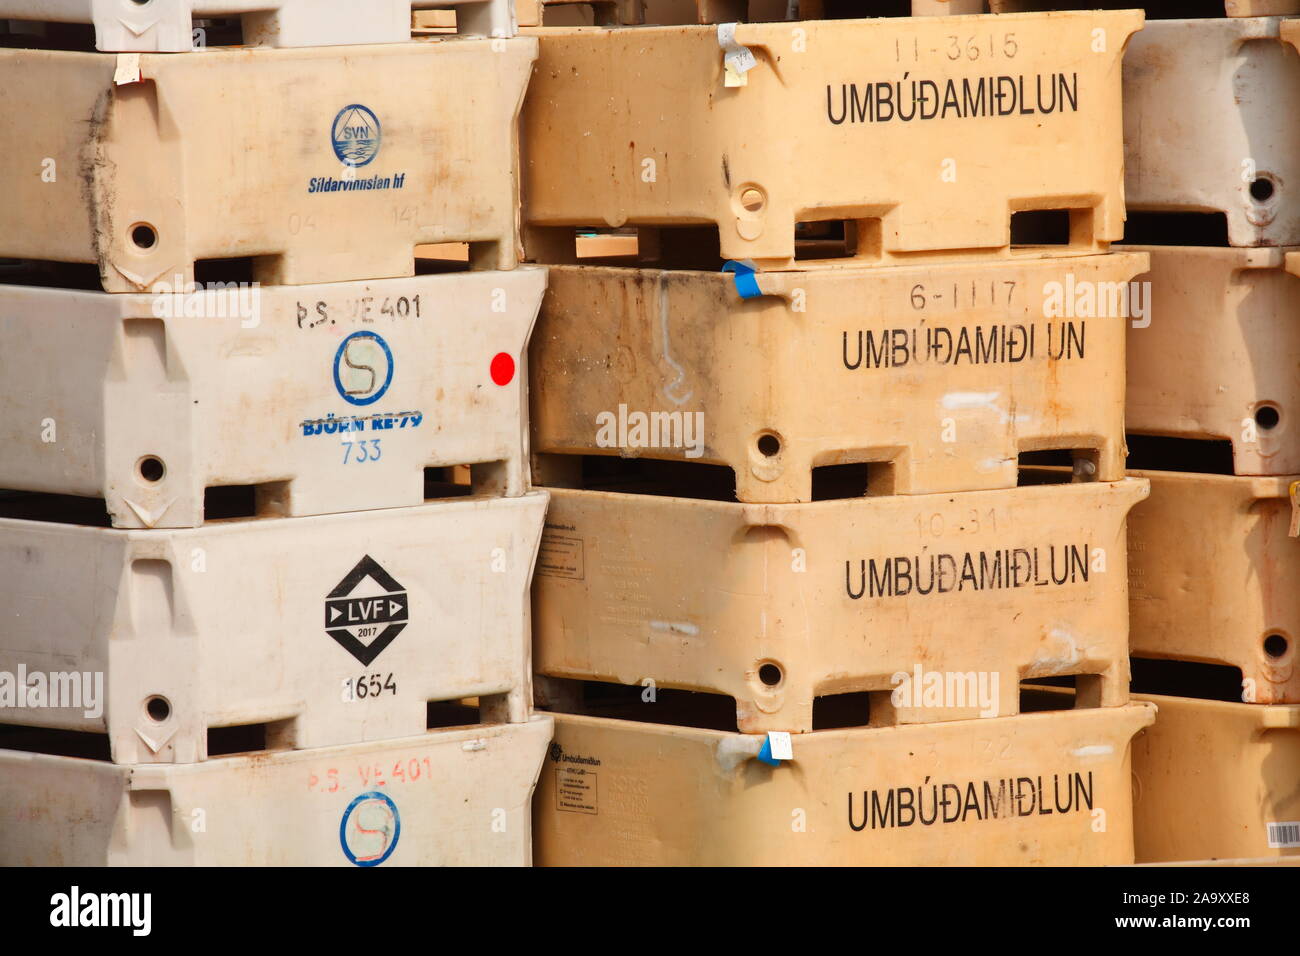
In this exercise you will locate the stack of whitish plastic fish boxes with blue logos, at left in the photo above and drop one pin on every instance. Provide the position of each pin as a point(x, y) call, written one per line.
point(268, 534)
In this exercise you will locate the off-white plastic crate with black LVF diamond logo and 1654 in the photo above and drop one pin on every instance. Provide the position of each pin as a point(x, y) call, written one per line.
point(331, 630)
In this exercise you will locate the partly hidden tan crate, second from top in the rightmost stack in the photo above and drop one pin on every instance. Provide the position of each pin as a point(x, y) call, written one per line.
point(1217, 360)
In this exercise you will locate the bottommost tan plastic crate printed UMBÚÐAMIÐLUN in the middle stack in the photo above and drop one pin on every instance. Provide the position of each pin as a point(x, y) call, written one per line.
point(622, 793)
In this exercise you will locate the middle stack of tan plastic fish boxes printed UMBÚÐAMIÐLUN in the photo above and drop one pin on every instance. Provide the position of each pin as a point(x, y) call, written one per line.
point(829, 391)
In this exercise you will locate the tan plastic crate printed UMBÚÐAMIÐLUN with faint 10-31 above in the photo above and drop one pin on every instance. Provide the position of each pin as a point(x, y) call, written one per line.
point(779, 604)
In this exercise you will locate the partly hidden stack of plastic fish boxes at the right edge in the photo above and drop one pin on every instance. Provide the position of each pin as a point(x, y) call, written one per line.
point(1215, 555)
